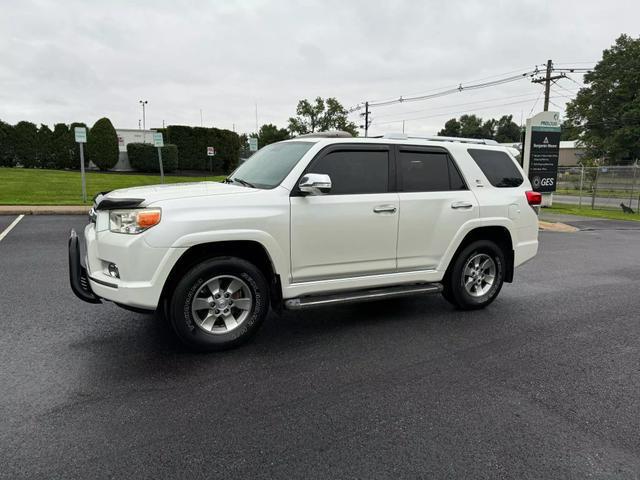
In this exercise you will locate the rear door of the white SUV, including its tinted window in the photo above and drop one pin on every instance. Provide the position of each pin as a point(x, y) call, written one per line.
point(434, 204)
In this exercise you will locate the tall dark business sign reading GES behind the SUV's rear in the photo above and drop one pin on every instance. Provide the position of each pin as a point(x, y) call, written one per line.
point(541, 152)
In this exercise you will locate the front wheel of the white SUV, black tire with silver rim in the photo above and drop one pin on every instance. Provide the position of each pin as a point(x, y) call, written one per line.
point(219, 304)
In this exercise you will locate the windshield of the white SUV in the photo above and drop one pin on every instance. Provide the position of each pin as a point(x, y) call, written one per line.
point(269, 166)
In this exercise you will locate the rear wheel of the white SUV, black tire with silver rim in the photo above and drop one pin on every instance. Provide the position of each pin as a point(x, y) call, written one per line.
point(476, 276)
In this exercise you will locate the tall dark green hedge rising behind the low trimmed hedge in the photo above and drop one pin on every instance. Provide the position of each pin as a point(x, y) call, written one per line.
point(192, 143)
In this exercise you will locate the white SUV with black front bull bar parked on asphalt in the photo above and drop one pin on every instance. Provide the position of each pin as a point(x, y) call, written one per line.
point(317, 220)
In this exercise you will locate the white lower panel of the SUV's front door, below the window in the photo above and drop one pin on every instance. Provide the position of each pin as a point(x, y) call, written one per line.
point(334, 236)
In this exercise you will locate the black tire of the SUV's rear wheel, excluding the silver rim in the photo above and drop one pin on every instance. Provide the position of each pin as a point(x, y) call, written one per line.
point(458, 291)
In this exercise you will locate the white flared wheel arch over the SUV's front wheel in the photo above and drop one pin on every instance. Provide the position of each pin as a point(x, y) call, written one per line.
point(249, 250)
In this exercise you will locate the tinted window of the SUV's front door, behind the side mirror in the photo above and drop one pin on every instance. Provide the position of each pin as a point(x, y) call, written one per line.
point(355, 171)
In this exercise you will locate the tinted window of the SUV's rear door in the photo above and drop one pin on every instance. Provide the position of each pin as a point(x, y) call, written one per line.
point(428, 172)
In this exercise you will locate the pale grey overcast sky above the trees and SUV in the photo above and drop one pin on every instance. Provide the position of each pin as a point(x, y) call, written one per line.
point(65, 61)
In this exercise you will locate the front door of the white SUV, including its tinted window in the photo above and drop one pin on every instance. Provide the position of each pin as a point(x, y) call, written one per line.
point(352, 230)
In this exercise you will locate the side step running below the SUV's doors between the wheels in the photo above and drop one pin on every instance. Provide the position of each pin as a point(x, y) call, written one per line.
point(361, 295)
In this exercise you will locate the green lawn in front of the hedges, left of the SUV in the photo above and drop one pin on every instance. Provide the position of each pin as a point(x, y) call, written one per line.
point(21, 186)
